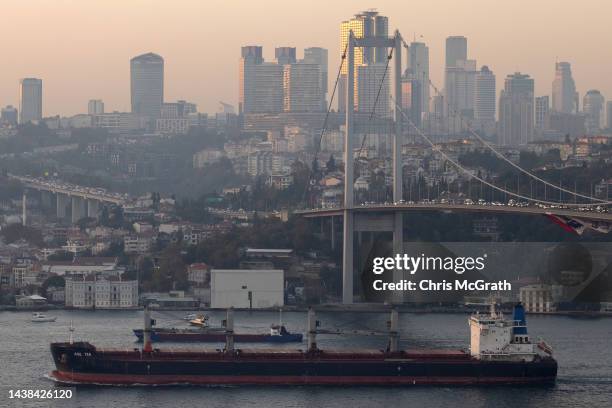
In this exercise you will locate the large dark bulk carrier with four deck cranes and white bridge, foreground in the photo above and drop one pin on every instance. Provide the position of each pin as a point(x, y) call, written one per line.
point(501, 352)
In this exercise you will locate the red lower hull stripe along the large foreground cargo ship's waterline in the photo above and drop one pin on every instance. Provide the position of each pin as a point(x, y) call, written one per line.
point(121, 379)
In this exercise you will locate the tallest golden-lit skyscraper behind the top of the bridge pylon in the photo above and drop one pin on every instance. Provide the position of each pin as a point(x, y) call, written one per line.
point(366, 24)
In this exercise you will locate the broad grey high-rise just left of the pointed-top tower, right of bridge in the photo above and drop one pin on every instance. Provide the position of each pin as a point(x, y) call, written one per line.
point(516, 110)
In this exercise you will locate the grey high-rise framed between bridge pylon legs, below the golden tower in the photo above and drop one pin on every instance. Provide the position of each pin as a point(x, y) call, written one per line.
point(369, 78)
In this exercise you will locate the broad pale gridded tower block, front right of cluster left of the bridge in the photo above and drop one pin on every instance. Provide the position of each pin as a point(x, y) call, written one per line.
point(302, 91)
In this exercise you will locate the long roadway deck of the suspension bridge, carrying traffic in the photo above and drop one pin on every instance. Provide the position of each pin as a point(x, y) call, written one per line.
point(497, 209)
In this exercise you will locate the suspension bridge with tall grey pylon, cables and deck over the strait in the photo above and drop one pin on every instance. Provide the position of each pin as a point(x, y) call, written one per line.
point(585, 209)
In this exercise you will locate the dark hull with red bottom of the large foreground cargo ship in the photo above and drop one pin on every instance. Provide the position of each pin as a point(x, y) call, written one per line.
point(83, 364)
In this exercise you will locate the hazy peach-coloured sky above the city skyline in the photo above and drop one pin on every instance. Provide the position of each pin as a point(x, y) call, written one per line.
point(81, 48)
